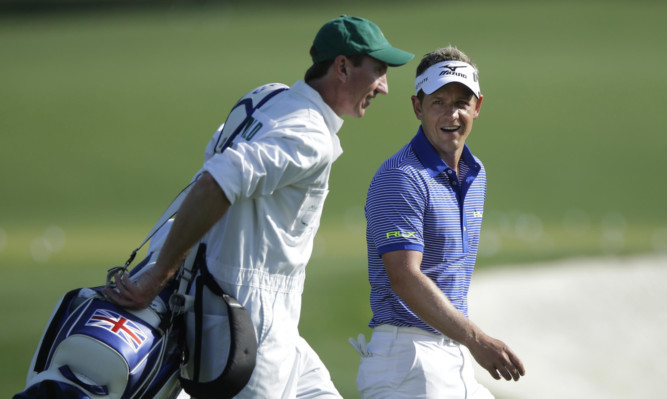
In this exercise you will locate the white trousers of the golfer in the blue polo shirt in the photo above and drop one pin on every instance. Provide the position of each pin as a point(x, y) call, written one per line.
point(408, 362)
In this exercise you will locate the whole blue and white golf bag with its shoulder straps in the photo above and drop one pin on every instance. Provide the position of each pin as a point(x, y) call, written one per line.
point(95, 349)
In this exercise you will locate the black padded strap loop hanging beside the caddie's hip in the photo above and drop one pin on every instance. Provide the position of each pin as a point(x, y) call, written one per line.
point(243, 344)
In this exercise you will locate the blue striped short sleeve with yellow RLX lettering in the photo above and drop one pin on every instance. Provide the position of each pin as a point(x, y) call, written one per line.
point(395, 212)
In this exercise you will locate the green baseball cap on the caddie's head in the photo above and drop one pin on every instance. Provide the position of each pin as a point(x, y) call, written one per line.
point(352, 36)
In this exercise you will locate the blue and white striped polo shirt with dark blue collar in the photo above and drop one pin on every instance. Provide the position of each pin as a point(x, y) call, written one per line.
point(416, 202)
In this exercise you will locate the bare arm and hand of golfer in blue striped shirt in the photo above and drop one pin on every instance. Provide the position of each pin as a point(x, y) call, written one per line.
point(431, 305)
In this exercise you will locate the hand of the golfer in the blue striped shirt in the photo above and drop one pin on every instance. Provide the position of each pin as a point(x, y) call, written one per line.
point(496, 357)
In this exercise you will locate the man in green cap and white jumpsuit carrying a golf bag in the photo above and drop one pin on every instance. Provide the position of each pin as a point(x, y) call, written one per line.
point(257, 203)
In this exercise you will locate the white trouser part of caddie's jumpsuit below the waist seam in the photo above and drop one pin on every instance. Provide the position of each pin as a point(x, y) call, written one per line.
point(286, 368)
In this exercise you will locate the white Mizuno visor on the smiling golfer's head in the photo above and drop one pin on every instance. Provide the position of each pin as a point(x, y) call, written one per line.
point(446, 72)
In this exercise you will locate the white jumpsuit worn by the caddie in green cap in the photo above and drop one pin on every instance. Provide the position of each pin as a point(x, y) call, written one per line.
point(275, 175)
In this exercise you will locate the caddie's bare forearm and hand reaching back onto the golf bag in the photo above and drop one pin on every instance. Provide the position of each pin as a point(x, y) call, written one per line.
point(202, 208)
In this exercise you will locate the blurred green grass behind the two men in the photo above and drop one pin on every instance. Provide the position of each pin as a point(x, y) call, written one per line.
point(104, 117)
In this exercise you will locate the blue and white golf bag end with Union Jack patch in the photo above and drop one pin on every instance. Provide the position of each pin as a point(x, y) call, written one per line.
point(84, 325)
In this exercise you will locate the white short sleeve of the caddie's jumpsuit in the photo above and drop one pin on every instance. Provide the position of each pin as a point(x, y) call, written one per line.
point(274, 157)
